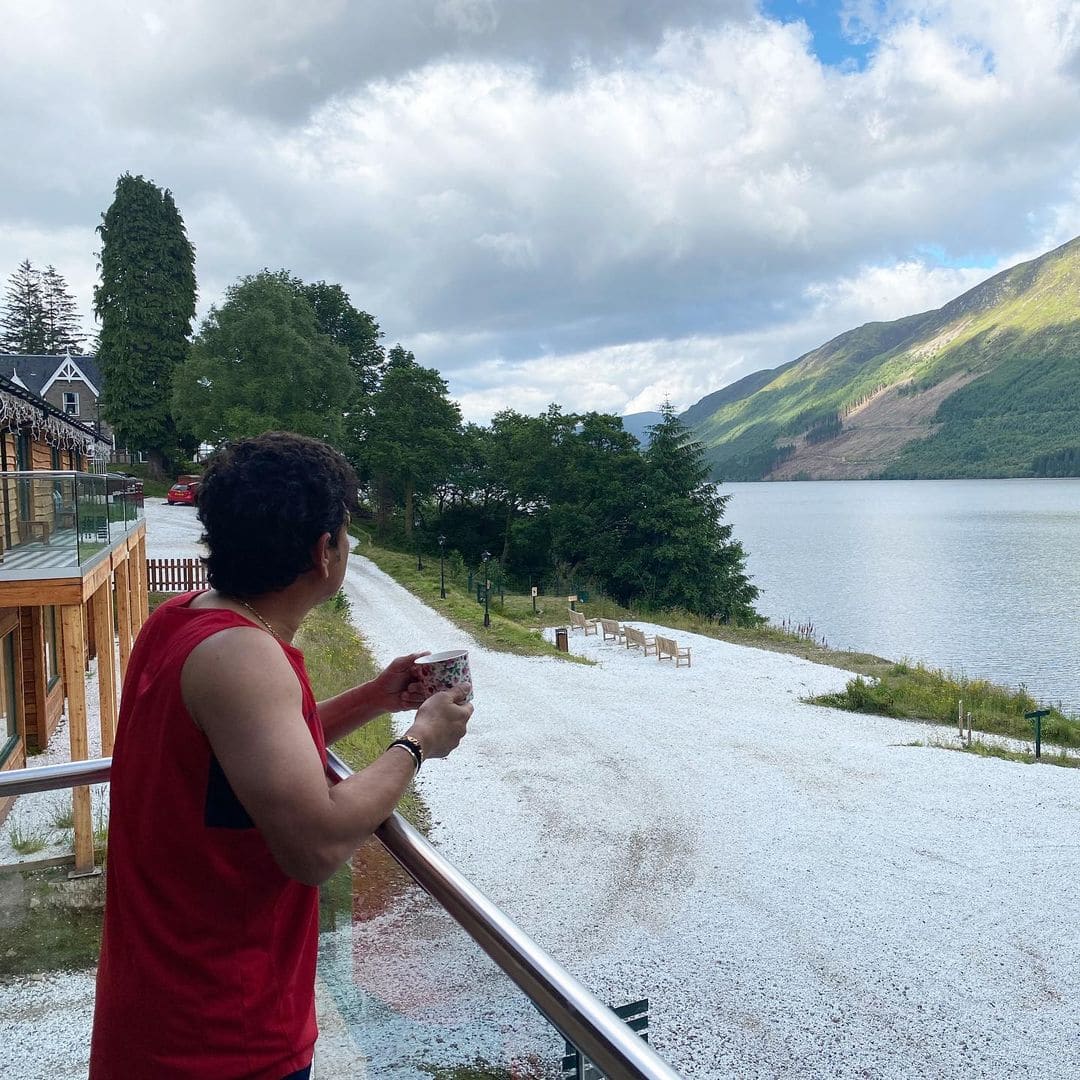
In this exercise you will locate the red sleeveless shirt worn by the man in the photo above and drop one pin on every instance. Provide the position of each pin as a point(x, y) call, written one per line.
point(208, 962)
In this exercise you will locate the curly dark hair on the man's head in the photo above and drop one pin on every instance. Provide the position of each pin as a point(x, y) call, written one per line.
point(264, 503)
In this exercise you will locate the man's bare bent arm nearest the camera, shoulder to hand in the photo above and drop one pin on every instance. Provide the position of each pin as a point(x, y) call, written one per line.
point(246, 697)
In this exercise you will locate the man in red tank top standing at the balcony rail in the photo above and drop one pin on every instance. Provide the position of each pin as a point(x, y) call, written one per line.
point(222, 821)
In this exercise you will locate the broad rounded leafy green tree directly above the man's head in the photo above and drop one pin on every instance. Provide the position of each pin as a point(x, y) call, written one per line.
point(260, 363)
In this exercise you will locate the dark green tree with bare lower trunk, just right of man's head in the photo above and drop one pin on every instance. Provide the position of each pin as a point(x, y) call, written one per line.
point(413, 437)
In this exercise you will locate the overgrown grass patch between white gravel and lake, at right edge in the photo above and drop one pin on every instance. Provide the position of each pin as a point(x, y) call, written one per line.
point(917, 693)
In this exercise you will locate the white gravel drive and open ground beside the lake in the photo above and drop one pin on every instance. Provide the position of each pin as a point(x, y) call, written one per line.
point(799, 892)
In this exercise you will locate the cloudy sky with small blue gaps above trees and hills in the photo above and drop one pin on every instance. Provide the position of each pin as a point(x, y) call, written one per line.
point(600, 204)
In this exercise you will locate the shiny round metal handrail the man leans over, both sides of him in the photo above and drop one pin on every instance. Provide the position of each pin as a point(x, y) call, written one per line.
point(568, 1004)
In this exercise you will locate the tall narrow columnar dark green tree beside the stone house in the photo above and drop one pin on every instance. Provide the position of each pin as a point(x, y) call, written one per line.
point(146, 304)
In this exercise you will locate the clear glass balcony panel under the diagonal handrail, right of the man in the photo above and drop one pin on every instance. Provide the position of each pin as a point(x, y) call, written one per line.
point(406, 994)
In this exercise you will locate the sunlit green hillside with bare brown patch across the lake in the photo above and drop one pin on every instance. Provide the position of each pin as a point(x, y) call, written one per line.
point(987, 386)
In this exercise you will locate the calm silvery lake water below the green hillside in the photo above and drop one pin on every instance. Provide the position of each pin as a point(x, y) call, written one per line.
point(978, 577)
